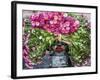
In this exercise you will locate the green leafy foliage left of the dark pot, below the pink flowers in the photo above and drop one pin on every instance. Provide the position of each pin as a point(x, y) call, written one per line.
point(40, 40)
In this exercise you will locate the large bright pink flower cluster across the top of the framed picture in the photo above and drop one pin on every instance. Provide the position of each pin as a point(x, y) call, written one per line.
point(54, 22)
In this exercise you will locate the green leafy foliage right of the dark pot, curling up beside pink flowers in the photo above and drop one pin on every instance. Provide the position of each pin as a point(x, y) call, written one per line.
point(80, 41)
